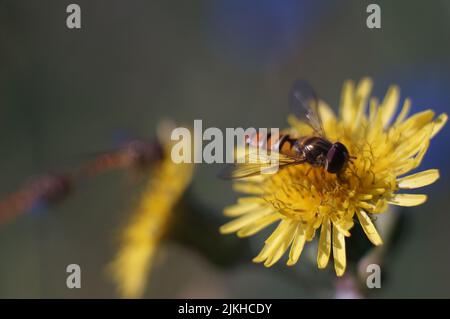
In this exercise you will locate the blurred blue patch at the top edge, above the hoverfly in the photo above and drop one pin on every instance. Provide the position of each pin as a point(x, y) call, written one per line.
point(258, 33)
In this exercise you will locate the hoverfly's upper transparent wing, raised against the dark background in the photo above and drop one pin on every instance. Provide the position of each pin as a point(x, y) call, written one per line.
point(304, 103)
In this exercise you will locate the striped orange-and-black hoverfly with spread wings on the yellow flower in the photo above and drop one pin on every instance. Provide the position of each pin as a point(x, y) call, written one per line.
point(314, 149)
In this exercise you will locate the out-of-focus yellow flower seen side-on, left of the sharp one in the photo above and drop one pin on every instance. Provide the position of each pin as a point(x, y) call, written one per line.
point(148, 224)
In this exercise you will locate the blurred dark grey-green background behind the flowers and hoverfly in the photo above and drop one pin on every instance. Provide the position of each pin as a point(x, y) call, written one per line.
point(64, 94)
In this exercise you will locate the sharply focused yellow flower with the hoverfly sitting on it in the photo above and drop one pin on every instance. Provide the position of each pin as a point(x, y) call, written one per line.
point(303, 199)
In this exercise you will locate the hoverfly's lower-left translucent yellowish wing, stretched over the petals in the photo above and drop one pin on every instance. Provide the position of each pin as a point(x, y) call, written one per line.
point(254, 164)
